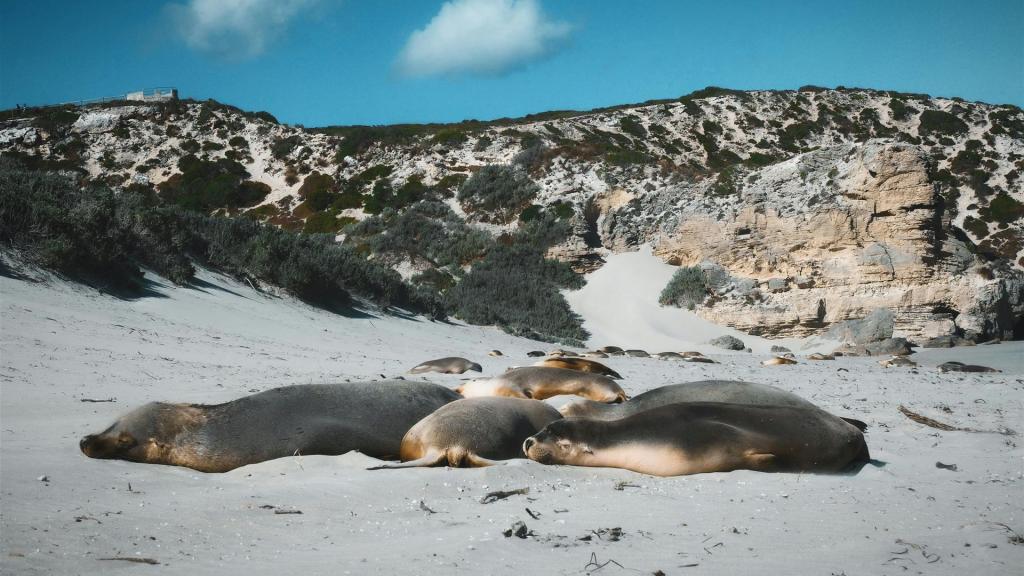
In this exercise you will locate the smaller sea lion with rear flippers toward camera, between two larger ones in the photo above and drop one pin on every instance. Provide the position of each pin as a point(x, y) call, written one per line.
point(474, 432)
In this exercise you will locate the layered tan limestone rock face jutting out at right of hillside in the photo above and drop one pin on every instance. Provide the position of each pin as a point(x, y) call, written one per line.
point(834, 235)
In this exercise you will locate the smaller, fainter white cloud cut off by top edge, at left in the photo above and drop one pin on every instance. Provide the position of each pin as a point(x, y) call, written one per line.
point(234, 29)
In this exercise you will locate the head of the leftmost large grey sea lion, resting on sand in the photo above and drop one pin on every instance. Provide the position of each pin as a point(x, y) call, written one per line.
point(145, 435)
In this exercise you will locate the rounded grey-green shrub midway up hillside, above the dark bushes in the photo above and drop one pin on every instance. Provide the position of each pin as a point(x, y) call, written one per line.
point(497, 193)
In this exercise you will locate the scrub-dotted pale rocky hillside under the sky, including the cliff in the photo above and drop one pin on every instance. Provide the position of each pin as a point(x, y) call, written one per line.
point(806, 208)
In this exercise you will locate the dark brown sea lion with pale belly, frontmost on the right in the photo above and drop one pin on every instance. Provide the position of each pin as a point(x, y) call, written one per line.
point(705, 437)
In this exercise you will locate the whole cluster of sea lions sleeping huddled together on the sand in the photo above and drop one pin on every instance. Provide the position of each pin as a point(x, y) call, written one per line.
point(710, 426)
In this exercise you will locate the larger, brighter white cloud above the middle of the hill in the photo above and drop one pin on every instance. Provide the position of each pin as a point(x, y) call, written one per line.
point(482, 37)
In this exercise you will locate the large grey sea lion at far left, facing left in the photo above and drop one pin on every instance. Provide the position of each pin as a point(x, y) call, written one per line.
point(328, 420)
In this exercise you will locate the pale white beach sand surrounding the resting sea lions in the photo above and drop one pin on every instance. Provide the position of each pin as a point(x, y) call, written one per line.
point(63, 344)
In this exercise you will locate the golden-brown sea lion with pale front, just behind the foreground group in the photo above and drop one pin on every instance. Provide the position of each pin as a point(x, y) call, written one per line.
point(540, 383)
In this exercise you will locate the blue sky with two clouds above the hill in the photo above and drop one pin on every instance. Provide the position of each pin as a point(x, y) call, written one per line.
point(352, 62)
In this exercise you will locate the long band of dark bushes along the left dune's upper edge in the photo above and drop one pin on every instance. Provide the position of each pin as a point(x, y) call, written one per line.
point(102, 237)
